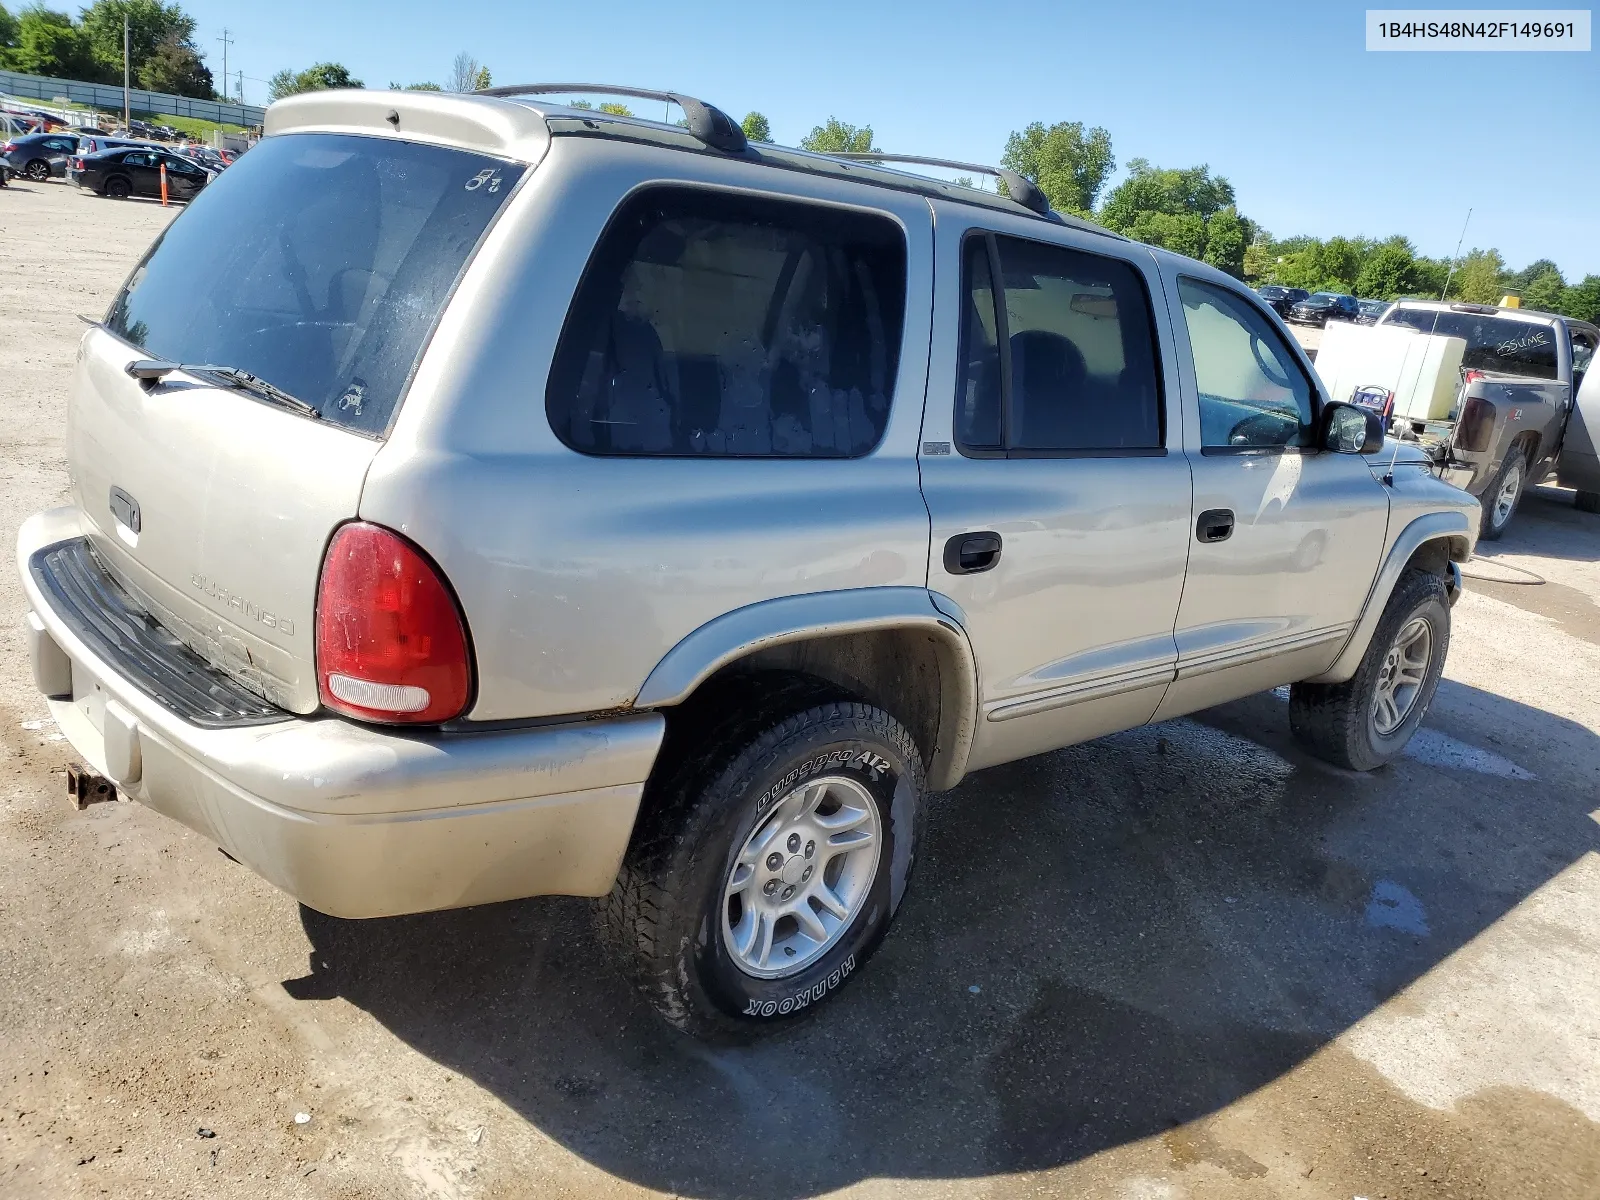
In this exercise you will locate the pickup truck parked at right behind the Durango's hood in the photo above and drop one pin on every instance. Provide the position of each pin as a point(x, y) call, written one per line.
point(1529, 404)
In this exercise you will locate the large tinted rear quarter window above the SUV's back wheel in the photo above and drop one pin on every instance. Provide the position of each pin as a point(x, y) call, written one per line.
point(724, 326)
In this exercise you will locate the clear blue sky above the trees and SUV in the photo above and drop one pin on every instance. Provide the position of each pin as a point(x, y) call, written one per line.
point(1316, 135)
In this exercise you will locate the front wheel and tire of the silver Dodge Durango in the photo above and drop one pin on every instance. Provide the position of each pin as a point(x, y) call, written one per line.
point(1342, 722)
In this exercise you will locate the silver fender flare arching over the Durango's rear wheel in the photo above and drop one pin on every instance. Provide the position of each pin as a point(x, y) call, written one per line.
point(822, 615)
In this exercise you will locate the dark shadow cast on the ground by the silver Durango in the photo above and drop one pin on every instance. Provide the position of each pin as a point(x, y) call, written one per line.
point(1100, 945)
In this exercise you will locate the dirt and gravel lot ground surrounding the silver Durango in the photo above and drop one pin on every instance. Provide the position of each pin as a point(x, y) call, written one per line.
point(1180, 962)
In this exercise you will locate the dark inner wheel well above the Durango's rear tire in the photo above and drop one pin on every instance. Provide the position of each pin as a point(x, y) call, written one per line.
point(913, 674)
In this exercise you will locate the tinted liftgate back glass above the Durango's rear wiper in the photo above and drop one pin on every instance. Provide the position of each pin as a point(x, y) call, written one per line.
point(318, 263)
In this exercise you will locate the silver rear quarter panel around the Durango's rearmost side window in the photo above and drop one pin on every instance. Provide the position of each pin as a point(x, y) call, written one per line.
point(578, 574)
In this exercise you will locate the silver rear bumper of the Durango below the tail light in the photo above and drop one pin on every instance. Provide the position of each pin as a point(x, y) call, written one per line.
point(351, 820)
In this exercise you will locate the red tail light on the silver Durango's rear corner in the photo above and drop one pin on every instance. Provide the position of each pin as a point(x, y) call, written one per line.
point(391, 644)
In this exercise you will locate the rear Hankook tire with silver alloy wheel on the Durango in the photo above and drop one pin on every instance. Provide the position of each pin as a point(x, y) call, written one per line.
point(678, 919)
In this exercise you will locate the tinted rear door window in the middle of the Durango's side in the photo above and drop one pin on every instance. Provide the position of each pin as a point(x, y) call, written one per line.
point(1068, 362)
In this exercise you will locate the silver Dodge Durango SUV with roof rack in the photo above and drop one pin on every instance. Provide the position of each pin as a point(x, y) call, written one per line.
point(529, 500)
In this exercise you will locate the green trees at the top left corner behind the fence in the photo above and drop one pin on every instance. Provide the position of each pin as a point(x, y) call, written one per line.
point(162, 54)
